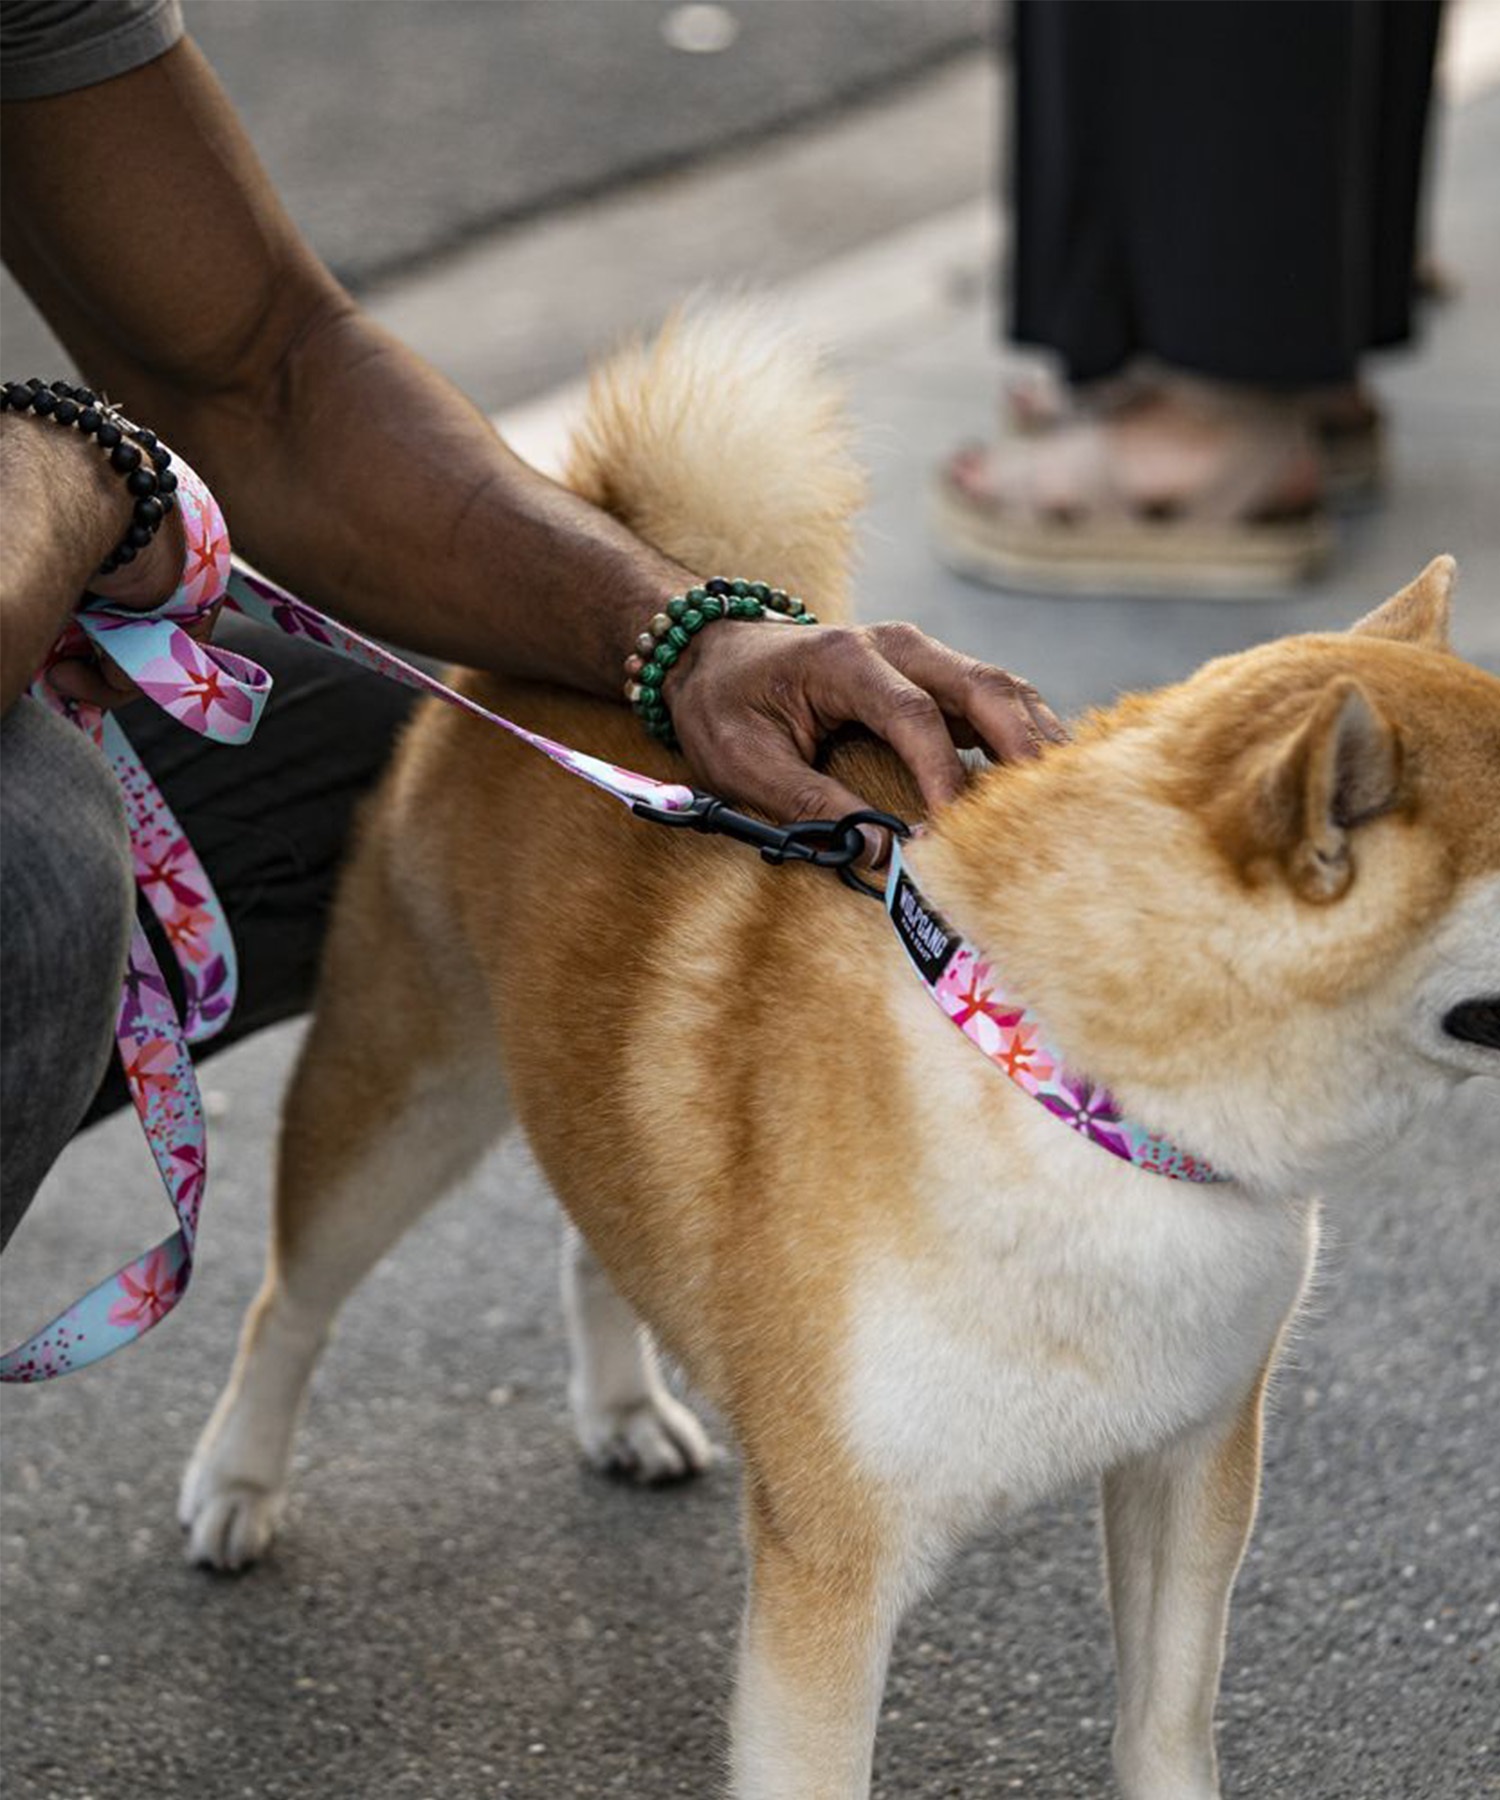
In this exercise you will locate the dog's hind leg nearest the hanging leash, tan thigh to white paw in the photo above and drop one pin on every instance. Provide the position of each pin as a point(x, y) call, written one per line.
point(395, 1097)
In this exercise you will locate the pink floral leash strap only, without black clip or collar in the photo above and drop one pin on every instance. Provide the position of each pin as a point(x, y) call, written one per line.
point(221, 696)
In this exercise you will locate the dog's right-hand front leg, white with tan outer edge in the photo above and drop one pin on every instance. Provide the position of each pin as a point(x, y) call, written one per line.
point(1177, 1525)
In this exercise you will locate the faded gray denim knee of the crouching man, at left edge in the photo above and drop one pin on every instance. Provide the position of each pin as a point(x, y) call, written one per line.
point(68, 903)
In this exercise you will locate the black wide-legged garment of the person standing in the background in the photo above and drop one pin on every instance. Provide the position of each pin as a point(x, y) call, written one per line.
point(1227, 186)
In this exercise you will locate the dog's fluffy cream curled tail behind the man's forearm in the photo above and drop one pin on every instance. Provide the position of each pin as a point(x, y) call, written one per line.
point(727, 444)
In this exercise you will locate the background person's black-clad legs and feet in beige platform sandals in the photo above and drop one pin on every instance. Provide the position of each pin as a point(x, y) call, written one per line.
point(1215, 208)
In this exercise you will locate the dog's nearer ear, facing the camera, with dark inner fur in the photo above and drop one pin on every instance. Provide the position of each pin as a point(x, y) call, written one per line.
point(1333, 773)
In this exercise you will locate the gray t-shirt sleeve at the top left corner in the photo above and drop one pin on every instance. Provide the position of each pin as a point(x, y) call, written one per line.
point(59, 46)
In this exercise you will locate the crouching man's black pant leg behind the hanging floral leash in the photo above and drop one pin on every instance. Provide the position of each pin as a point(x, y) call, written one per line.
point(271, 820)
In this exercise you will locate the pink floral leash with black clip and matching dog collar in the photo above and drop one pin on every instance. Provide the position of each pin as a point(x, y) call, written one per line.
point(222, 696)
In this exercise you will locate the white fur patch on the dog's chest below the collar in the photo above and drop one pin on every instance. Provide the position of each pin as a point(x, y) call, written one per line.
point(1036, 1338)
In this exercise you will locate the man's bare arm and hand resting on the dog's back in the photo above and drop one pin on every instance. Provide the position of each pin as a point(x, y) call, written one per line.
point(141, 222)
